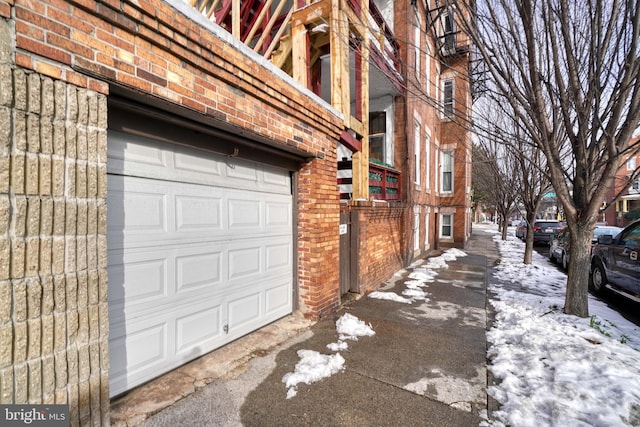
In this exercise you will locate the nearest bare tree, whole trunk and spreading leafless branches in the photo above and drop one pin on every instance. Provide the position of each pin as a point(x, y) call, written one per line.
point(569, 69)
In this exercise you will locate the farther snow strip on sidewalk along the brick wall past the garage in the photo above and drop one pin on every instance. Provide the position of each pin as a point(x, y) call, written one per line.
point(419, 278)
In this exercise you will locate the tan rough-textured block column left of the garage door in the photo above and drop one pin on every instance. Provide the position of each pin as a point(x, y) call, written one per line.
point(53, 288)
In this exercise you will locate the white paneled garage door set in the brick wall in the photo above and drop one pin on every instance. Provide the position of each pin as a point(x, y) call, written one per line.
point(199, 253)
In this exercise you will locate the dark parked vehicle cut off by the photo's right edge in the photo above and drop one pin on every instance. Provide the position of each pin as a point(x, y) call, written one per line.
point(615, 263)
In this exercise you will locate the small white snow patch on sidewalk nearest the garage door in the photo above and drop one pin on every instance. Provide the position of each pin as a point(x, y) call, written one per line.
point(314, 366)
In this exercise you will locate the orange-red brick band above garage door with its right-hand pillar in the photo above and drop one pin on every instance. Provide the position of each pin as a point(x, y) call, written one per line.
point(151, 48)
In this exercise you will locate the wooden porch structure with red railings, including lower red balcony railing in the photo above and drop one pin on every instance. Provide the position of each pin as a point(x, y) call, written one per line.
point(334, 48)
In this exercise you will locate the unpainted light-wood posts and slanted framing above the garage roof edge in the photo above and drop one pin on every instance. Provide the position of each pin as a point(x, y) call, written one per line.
point(348, 36)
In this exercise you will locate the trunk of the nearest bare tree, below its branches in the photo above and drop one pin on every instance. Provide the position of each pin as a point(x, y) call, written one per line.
point(577, 296)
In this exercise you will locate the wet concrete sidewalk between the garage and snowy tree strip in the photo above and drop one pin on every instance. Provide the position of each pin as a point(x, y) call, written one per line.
point(425, 366)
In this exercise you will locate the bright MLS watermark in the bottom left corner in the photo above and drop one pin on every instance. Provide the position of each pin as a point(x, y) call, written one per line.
point(34, 415)
